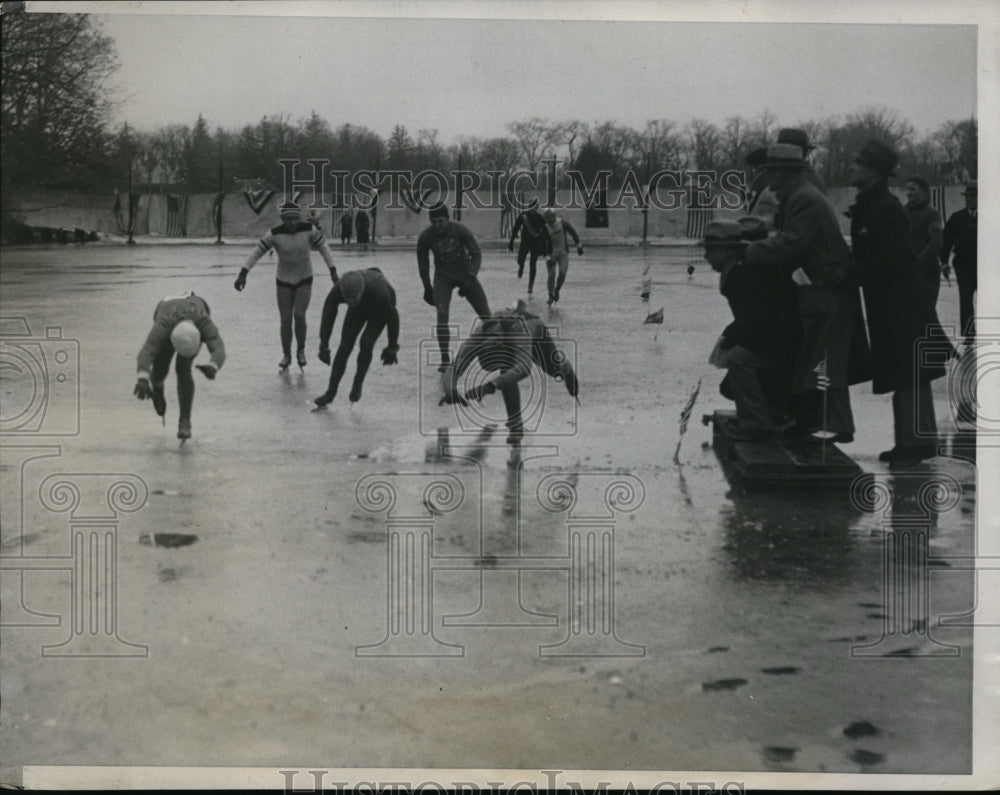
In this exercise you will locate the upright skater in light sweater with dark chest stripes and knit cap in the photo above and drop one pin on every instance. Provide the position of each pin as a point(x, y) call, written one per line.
point(293, 240)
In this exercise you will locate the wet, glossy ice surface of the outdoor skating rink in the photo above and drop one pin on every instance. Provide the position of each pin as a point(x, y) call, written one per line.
point(739, 631)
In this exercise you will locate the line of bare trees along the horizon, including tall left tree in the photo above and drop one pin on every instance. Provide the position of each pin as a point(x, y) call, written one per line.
point(57, 101)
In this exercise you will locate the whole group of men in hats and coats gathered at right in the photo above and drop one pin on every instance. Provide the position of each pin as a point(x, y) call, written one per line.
point(800, 337)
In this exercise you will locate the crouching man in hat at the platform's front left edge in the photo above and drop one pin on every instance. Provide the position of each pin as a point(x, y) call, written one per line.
point(752, 347)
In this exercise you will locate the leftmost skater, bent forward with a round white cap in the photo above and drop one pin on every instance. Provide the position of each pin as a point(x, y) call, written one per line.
point(180, 324)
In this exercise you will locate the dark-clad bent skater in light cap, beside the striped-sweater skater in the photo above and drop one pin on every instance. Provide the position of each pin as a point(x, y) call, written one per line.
point(371, 307)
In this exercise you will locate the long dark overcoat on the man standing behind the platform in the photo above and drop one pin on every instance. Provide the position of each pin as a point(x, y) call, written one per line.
point(897, 314)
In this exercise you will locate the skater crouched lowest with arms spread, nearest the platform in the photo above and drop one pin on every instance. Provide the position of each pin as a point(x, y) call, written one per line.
point(509, 343)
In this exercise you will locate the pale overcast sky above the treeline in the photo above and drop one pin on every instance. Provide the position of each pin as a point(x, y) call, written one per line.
point(472, 77)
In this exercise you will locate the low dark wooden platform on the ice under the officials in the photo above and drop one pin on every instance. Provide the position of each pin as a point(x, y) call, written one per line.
point(780, 464)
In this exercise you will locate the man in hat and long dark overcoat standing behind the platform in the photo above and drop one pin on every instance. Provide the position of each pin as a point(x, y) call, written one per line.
point(896, 311)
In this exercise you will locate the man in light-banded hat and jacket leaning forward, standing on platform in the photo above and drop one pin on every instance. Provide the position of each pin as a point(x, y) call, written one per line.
point(832, 351)
